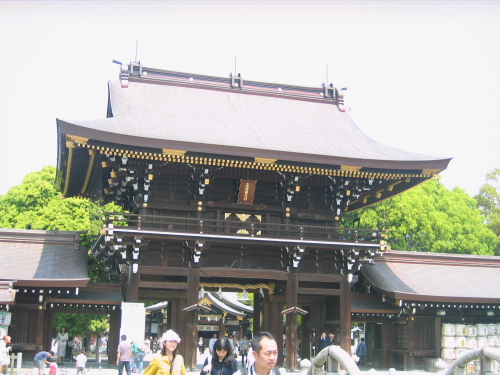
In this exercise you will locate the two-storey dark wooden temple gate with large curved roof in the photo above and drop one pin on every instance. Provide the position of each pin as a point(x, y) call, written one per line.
point(231, 180)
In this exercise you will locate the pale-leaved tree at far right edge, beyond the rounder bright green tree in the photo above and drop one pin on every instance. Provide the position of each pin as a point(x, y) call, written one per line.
point(488, 201)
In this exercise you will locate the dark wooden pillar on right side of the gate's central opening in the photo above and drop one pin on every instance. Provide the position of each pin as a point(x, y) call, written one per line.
point(292, 286)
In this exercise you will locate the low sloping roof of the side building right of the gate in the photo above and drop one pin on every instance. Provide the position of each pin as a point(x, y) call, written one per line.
point(432, 277)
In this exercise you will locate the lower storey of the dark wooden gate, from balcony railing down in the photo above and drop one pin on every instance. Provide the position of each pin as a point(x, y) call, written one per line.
point(188, 262)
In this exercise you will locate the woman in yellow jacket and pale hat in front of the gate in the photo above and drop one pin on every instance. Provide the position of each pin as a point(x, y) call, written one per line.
point(169, 362)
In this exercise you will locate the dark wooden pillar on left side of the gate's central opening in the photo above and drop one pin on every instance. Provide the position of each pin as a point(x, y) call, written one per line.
point(192, 319)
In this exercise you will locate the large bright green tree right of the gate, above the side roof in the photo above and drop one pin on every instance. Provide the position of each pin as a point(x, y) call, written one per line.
point(430, 218)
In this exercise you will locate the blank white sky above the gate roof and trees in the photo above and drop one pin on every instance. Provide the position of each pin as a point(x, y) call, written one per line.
point(421, 75)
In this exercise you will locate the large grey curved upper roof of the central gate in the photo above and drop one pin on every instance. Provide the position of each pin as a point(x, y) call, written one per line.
point(237, 123)
